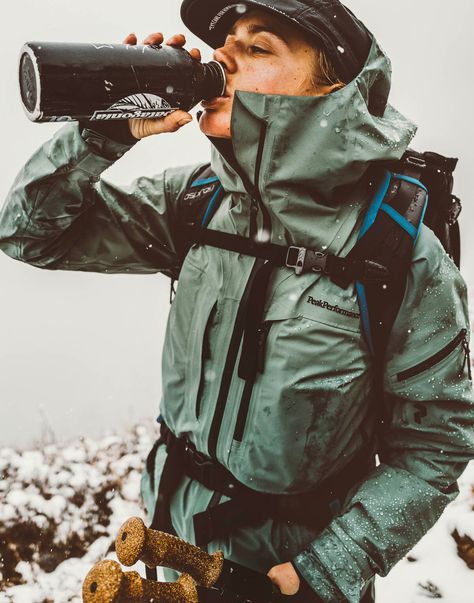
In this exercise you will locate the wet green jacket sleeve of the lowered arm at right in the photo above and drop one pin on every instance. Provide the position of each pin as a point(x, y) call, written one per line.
point(428, 442)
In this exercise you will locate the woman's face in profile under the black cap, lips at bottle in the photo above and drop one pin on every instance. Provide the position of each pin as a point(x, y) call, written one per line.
point(262, 54)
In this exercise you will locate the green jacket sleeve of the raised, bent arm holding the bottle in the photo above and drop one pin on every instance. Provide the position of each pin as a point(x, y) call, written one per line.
point(60, 214)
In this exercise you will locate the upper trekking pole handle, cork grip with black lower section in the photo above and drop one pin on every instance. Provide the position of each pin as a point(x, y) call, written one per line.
point(219, 576)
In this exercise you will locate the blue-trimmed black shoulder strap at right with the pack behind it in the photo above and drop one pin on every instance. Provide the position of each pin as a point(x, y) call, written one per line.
point(391, 228)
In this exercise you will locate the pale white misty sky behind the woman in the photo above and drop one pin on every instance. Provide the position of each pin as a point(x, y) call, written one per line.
point(81, 352)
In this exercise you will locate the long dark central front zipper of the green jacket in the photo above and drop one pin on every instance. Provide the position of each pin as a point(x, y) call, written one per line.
point(236, 337)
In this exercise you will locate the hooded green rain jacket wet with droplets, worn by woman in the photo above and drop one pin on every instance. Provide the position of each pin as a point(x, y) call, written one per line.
point(311, 409)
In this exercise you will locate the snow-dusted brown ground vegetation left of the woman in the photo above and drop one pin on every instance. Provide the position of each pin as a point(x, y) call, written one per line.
point(61, 510)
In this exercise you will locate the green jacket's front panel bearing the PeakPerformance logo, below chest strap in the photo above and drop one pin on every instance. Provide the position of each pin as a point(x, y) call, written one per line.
point(313, 376)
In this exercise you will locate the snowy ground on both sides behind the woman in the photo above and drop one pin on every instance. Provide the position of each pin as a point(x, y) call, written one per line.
point(62, 507)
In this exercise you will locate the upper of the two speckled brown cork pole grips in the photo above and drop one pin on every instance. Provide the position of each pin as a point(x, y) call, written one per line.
point(136, 542)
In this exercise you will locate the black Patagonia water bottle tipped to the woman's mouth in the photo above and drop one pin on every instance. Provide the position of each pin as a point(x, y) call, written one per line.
point(71, 81)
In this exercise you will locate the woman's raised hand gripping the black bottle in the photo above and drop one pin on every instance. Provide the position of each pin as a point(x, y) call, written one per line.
point(140, 128)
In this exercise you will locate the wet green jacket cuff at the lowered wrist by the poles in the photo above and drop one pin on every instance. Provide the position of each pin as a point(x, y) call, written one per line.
point(330, 569)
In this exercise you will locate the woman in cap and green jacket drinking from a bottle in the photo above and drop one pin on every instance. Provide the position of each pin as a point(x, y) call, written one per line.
point(288, 409)
